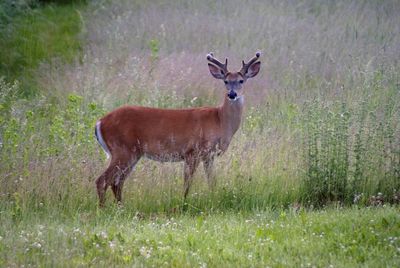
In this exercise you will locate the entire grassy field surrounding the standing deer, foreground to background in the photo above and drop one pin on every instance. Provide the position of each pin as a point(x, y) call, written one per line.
point(312, 177)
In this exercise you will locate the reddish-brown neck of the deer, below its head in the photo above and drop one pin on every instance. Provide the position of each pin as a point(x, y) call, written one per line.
point(230, 115)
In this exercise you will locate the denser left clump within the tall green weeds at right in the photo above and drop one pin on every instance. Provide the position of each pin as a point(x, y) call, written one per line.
point(327, 153)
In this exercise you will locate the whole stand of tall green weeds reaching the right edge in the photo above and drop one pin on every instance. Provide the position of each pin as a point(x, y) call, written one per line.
point(354, 153)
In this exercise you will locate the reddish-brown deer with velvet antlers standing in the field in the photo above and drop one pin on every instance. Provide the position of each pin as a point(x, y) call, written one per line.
point(191, 135)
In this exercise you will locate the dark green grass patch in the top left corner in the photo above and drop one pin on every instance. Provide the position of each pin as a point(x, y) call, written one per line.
point(33, 36)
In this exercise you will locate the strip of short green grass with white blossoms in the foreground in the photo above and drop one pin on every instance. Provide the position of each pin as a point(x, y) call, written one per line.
point(368, 237)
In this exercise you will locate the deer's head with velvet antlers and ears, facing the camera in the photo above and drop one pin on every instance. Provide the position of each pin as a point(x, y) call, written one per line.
point(234, 81)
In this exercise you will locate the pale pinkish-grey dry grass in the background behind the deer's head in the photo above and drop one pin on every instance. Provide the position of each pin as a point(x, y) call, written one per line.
point(309, 47)
